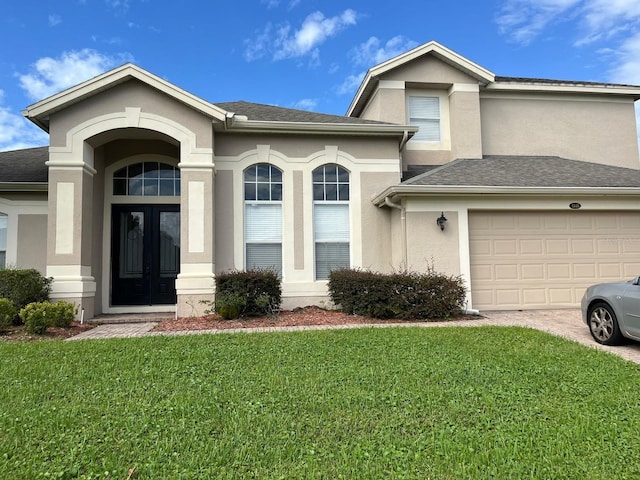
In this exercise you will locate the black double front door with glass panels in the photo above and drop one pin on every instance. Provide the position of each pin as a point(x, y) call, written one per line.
point(145, 254)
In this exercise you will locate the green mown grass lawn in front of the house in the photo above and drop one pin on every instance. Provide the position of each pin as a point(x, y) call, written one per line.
point(441, 403)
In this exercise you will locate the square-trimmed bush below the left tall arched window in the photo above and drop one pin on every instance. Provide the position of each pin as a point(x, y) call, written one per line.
point(253, 293)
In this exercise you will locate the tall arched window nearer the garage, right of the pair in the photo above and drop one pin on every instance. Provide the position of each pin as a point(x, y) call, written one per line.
point(331, 219)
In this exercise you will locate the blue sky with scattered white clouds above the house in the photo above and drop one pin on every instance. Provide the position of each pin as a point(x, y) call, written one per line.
point(307, 54)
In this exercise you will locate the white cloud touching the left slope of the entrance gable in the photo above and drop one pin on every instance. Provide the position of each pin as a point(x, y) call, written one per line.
point(52, 75)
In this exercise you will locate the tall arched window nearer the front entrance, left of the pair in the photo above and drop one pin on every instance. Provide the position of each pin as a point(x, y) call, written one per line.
point(263, 217)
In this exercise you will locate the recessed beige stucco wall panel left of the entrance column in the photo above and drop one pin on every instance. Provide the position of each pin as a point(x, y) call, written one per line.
point(32, 241)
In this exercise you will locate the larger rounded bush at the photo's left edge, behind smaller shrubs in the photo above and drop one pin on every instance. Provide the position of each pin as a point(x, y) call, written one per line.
point(23, 287)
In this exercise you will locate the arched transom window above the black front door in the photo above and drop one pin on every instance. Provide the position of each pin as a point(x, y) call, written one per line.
point(148, 179)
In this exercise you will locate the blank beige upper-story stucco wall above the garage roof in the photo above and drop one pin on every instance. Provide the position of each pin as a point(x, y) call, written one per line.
point(592, 129)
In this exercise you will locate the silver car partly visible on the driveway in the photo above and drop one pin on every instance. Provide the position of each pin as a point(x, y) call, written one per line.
point(612, 311)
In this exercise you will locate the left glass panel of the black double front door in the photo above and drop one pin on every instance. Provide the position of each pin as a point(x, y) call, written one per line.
point(131, 244)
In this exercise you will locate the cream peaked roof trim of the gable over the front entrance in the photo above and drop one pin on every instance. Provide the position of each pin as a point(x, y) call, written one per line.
point(39, 112)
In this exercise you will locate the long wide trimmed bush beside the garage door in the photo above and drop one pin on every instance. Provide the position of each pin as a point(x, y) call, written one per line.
point(406, 295)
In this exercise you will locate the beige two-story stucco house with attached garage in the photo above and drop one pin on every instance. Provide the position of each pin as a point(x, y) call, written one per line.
point(527, 188)
